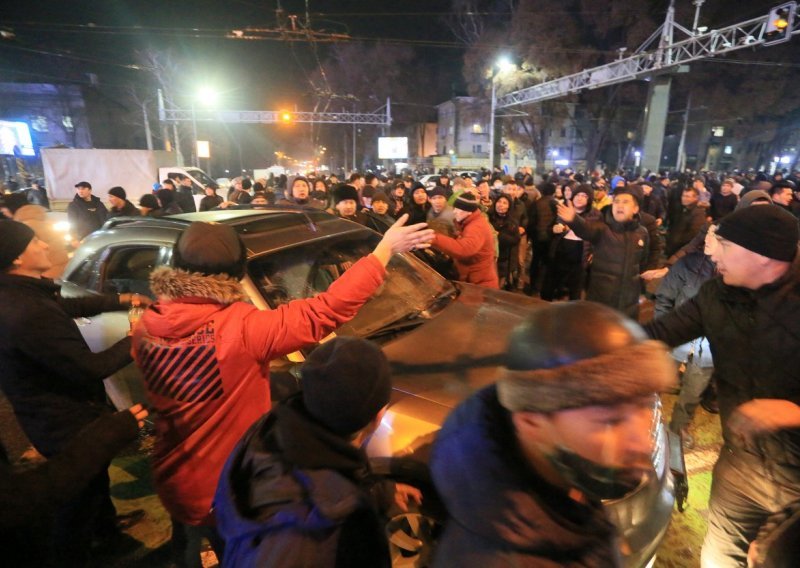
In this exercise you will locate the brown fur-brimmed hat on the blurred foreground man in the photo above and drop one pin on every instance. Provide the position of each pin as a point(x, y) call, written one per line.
point(577, 354)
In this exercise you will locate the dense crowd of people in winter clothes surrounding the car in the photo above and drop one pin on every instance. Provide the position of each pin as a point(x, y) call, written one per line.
point(521, 466)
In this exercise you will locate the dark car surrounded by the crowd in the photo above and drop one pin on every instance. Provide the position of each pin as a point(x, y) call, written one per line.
point(444, 340)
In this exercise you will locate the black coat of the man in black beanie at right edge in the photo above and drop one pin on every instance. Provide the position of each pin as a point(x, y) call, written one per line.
point(754, 337)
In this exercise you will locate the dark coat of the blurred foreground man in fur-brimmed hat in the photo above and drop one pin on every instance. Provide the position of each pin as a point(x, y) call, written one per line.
point(503, 513)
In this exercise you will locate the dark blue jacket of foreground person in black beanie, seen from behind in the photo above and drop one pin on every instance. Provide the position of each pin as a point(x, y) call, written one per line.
point(292, 494)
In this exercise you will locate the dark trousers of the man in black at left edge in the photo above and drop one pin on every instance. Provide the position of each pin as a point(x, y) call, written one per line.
point(89, 513)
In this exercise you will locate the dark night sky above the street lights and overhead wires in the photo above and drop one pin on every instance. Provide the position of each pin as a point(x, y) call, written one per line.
point(103, 35)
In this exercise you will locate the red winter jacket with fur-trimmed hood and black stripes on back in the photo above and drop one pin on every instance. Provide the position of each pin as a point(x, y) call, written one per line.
point(205, 359)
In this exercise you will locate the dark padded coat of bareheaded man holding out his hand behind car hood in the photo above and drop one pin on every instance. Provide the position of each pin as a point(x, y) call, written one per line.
point(620, 255)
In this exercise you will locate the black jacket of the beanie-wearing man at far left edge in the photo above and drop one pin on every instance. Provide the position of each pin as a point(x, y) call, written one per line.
point(47, 371)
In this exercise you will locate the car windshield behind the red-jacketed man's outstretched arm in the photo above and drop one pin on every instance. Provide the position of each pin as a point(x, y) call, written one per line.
point(411, 292)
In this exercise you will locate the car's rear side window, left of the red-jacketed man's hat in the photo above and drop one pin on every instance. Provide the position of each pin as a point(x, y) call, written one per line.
point(127, 270)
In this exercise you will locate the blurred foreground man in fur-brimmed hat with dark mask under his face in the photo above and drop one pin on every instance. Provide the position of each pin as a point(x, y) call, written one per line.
point(523, 465)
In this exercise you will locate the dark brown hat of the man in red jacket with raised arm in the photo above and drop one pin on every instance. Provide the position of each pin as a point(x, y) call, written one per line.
point(210, 248)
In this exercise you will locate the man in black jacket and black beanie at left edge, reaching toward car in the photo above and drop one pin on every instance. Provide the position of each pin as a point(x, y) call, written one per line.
point(52, 379)
